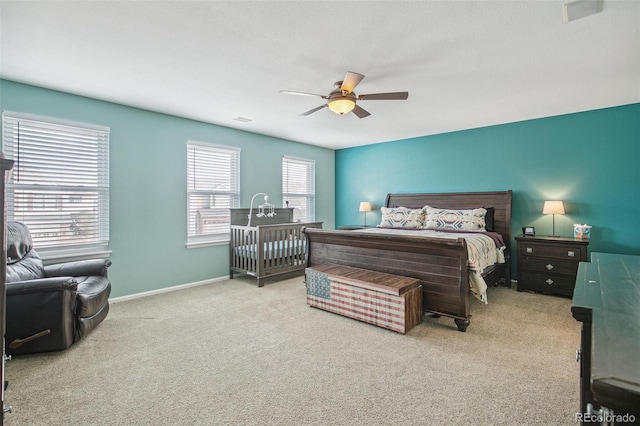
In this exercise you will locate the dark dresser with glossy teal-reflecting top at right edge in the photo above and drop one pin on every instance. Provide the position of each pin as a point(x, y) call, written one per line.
point(606, 301)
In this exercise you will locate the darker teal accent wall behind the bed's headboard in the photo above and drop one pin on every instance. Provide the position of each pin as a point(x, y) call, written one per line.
point(590, 160)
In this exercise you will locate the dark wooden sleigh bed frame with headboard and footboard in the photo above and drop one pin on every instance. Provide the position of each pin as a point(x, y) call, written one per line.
point(441, 264)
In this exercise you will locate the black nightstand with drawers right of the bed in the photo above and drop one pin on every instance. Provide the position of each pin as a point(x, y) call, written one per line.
point(549, 264)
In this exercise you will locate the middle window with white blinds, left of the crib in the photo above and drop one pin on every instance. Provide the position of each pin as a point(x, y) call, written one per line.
point(213, 187)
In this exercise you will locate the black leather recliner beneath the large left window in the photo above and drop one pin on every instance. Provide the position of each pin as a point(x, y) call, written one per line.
point(48, 308)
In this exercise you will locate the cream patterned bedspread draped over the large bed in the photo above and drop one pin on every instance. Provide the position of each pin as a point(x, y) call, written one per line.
point(481, 250)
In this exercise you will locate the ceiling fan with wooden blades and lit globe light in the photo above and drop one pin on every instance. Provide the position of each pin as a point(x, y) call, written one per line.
point(342, 99)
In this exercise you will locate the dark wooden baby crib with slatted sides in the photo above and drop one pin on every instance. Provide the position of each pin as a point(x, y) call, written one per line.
point(272, 248)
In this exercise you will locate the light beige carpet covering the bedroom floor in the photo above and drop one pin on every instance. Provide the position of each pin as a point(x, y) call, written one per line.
point(232, 353)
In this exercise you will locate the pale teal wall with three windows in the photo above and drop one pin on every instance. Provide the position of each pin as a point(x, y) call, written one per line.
point(148, 228)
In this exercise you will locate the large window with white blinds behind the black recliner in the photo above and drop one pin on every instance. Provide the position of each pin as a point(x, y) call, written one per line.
point(59, 185)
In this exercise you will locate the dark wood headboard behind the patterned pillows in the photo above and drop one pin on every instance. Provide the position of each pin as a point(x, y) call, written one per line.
point(500, 201)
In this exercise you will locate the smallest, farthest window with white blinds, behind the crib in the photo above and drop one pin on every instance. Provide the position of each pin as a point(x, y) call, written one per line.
point(299, 187)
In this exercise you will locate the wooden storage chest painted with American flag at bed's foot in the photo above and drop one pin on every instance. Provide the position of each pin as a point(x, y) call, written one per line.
point(381, 299)
